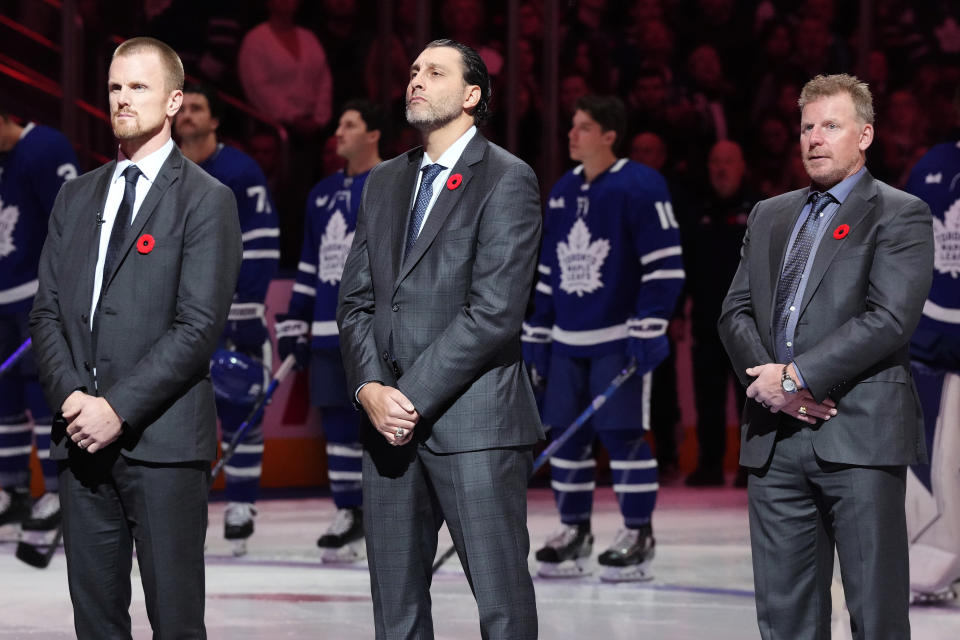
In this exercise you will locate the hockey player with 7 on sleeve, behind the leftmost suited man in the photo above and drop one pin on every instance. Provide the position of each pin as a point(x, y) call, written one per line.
point(246, 332)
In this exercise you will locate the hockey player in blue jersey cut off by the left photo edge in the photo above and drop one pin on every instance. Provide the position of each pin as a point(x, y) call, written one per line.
point(34, 162)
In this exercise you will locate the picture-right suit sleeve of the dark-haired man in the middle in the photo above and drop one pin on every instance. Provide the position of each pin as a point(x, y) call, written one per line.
point(503, 271)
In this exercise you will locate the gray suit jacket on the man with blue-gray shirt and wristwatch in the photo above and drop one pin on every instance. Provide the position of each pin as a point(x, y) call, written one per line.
point(861, 304)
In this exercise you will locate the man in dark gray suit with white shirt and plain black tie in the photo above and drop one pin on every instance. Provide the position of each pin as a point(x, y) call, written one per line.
point(136, 278)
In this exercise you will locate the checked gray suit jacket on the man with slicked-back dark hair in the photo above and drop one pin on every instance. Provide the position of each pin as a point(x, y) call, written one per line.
point(450, 313)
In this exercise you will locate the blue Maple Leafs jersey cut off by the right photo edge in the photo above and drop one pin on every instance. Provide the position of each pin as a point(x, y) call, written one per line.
point(936, 180)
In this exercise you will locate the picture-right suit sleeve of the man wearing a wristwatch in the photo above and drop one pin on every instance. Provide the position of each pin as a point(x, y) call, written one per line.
point(898, 285)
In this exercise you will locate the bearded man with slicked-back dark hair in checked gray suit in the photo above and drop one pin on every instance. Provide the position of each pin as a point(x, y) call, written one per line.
point(431, 305)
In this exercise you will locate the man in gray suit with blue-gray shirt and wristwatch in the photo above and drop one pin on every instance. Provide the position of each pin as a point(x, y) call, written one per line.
point(817, 322)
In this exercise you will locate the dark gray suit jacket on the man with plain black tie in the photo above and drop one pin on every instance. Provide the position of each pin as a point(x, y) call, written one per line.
point(160, 314)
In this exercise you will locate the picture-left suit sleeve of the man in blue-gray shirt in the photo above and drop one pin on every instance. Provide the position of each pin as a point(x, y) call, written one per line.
point(738, 325)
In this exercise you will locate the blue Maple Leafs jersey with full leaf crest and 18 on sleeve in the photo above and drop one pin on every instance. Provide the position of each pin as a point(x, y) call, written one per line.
point(611, 266)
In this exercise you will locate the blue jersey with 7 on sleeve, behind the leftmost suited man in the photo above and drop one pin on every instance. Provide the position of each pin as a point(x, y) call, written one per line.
point(258, 223)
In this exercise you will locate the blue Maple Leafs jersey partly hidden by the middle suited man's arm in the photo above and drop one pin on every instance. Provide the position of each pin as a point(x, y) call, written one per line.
point(331, 220)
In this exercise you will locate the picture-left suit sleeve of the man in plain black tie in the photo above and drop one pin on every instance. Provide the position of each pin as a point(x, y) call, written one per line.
point(51, 351)
